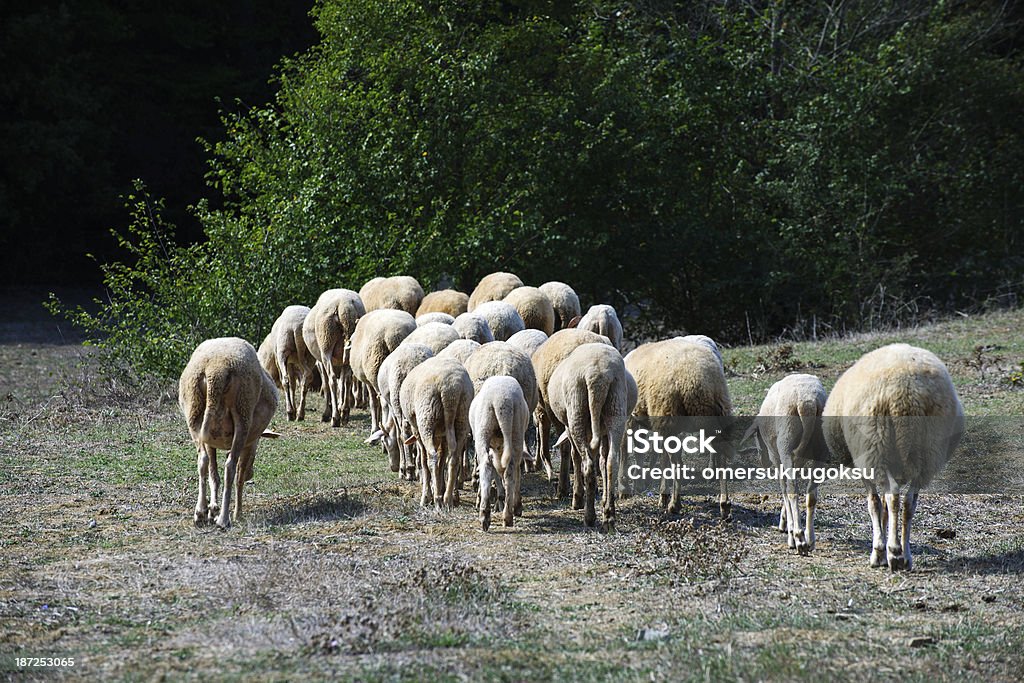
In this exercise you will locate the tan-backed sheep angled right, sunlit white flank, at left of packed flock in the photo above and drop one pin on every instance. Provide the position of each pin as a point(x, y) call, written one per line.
point(377, 334)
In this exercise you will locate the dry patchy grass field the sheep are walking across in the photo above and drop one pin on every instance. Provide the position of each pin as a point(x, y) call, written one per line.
point(337, 573)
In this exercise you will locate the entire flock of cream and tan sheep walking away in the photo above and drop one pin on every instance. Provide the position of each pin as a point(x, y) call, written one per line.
point(510, 365)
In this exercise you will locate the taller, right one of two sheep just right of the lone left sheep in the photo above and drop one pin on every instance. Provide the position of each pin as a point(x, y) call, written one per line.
point(335, 316)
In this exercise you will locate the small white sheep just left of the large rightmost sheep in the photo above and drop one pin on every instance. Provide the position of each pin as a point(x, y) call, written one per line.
point(788, 433)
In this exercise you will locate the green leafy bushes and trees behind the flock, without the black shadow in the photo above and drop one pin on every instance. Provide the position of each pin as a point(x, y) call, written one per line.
point(732, 168)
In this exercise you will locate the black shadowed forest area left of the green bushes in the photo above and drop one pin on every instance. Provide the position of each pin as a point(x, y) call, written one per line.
point(96, 94)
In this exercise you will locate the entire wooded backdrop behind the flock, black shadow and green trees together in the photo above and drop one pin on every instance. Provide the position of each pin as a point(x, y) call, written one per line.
point(748, 169)
